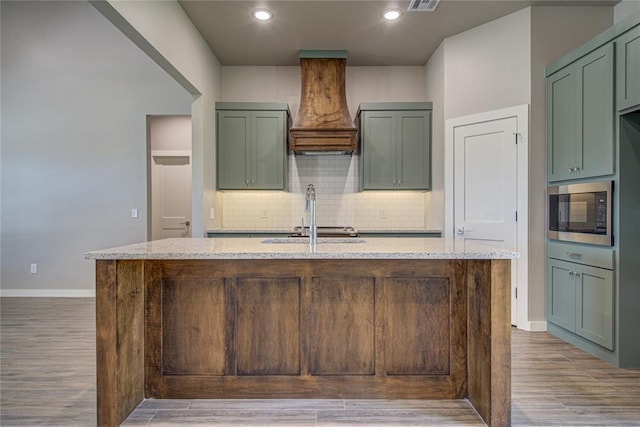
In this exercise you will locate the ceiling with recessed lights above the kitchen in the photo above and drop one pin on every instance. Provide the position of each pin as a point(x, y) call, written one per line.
point(356, 26)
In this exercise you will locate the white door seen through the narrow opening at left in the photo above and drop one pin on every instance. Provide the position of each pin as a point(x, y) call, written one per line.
point(171, 194)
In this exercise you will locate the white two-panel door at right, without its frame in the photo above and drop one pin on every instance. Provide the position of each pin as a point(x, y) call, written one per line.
point(485, 186)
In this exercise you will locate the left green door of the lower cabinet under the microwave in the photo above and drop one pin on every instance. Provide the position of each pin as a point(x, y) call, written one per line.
point(561, 294)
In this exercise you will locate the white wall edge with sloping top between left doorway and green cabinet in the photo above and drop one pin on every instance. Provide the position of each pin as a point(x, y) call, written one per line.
point(165, 33)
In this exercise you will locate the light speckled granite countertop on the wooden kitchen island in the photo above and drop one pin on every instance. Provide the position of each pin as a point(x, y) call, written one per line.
point(298, 248)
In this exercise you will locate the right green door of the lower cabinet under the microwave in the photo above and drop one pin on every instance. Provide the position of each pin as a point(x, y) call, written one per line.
point(595, 305)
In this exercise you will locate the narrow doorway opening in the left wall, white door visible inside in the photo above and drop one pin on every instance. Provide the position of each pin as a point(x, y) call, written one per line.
point(170, 171)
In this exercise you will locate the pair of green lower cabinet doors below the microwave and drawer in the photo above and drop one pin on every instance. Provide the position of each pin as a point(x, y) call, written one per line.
point(581, 300)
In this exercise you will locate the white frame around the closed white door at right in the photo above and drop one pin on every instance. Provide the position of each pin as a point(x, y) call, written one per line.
point(521, 113)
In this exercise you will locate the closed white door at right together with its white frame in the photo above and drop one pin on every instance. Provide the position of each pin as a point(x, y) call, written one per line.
point(486, 189)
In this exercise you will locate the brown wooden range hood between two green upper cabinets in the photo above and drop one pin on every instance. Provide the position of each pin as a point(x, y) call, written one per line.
point(323, 124)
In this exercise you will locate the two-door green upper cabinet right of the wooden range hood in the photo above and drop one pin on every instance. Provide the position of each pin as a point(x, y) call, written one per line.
point(395, 144)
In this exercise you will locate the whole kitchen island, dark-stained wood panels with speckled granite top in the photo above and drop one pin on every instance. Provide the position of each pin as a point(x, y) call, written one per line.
point(415, 318)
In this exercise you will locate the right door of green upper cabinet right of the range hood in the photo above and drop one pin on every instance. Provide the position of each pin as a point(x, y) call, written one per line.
point(413, 153)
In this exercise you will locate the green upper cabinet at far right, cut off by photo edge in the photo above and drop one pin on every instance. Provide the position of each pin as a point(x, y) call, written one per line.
point(628, 69)
